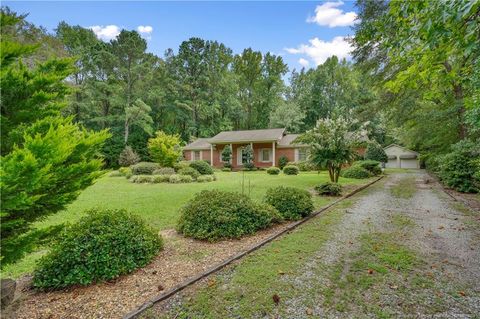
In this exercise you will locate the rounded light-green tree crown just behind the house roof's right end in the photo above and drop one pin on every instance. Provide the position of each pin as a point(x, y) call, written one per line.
point(287, 115)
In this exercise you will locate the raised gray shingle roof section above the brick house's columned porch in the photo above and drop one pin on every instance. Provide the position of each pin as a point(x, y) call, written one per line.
point(266, 135)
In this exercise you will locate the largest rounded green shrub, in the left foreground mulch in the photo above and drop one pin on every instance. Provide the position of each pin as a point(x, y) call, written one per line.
point(101, 246)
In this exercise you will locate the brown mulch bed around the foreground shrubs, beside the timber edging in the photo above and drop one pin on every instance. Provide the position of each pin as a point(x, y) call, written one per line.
point(181, 258)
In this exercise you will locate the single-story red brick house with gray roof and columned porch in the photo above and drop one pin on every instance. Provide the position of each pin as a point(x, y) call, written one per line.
point(268, 146)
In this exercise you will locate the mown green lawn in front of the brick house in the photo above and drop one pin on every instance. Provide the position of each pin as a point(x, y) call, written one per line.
point(159, 204)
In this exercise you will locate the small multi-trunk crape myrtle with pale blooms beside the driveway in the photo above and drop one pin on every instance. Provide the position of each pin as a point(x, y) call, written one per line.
point(332, 144)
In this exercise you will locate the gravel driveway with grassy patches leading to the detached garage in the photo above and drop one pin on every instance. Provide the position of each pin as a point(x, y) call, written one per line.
point(403, 249)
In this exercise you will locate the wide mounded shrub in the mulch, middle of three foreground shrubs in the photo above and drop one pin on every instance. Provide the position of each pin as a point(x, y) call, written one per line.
point(214, 215)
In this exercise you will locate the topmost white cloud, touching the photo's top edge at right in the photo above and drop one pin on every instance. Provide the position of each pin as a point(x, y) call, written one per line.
point(329, 15)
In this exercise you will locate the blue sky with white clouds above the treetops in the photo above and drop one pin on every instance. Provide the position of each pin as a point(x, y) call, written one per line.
point(303, 33)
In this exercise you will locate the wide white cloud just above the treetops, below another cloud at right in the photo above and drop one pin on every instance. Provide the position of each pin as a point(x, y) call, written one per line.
point(319, 50)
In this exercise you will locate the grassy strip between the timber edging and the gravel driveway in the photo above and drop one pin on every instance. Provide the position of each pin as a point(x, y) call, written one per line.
point(246, 290)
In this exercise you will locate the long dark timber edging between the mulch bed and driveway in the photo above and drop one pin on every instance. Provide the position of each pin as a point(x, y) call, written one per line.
point(176, 289)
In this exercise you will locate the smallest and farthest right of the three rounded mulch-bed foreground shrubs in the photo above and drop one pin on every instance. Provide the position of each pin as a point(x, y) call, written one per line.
point(292, 203)
